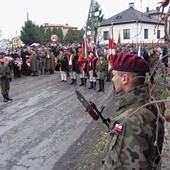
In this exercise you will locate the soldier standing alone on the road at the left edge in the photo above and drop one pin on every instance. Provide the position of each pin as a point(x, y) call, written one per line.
point(5, 79)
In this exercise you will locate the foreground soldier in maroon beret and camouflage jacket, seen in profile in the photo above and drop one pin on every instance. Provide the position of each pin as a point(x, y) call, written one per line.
point(137, 132)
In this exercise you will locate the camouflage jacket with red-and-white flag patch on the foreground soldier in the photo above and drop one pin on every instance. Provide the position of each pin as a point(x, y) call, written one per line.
point(133, 142)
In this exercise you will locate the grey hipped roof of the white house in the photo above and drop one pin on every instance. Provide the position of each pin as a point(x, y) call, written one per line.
point(130, 15)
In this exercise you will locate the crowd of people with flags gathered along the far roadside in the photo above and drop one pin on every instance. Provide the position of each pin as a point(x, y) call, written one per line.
point(72, 62)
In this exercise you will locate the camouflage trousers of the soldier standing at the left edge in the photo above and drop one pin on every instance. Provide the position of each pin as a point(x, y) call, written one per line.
point(5, 86)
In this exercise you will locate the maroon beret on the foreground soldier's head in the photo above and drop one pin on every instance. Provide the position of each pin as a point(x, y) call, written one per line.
point(125, 61)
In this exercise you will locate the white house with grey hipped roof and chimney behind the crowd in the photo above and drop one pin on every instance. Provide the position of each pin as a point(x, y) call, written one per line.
point(134, 28)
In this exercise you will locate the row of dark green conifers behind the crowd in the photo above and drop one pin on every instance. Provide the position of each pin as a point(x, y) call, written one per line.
point(31, 33)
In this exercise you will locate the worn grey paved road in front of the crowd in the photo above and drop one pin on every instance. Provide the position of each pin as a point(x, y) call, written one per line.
point(43, 121)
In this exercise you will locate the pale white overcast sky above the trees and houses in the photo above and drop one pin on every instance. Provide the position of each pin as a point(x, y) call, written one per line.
point(13, 13)
